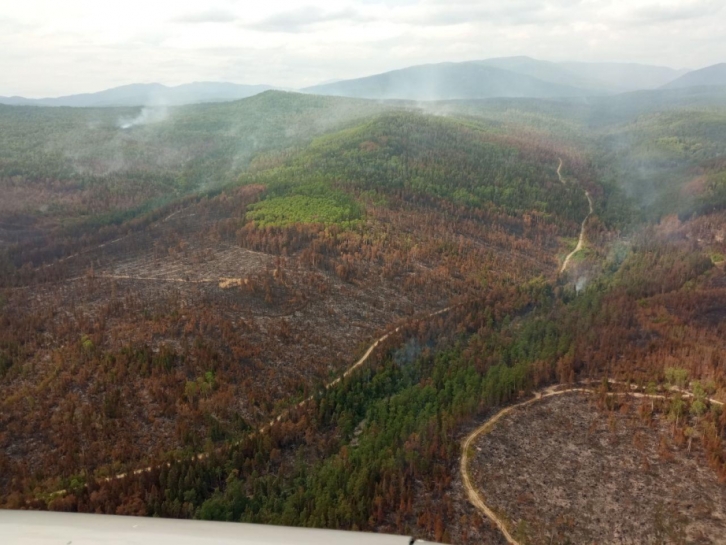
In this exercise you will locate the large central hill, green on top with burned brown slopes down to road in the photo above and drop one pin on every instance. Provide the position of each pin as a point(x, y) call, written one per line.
point(189, 325)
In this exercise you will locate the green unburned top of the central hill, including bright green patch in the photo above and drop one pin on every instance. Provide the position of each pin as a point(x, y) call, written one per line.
point(417, 158)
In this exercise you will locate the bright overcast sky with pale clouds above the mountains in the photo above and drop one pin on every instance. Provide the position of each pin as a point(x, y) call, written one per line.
point(52, 48)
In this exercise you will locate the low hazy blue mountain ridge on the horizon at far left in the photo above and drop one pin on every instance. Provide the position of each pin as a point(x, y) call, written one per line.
point(143, 94)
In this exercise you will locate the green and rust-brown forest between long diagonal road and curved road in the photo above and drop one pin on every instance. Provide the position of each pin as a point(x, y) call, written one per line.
point(381, 450)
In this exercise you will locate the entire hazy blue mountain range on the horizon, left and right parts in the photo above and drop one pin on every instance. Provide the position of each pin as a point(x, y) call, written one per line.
point(503, 77)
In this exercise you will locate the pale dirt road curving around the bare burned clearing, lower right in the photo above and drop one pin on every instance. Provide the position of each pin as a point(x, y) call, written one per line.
point(475, 498)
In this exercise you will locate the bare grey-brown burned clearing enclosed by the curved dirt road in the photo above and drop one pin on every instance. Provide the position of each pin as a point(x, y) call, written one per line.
point(564, 471)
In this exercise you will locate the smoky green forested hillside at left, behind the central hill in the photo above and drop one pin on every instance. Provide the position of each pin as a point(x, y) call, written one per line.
point(61, 167)
